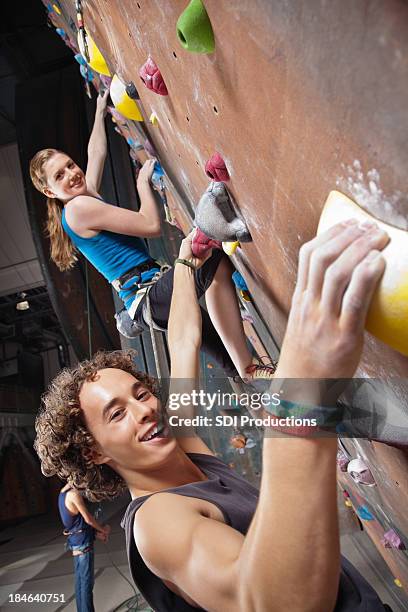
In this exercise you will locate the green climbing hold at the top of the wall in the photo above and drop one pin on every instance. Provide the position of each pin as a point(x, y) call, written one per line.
point(194, 29)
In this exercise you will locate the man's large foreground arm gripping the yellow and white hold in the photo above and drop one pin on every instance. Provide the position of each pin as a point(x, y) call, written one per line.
point(289, 559)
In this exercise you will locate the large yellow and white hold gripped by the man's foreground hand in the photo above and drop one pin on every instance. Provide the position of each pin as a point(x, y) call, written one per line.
point(387, 316)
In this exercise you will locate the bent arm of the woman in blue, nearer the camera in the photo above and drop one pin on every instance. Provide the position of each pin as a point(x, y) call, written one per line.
point(86, 213)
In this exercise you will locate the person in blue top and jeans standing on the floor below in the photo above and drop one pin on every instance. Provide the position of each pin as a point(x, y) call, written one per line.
point(81, 528)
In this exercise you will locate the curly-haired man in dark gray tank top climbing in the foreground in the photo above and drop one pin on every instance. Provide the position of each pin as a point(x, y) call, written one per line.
point(198, 535)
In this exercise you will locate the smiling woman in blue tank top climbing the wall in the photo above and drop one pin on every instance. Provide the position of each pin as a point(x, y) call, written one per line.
point(111, 239)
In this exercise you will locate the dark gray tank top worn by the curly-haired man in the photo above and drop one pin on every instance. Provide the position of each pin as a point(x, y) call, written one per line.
point(237, 500)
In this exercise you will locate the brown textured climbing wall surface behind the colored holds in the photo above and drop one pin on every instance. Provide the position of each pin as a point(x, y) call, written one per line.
point(299, 98)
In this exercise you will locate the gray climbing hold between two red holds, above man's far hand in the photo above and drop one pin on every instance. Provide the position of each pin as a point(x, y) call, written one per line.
point(216, 217)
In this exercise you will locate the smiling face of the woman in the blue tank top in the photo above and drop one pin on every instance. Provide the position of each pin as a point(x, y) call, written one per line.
point(65, 179)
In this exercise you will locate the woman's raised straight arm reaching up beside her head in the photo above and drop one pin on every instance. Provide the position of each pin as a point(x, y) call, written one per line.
point(97, 146)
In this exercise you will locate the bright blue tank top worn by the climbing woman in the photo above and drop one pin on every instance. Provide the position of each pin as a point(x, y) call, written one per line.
point(112, 255)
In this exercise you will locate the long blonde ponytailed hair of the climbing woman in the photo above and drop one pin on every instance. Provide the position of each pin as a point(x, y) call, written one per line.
point(61, 248)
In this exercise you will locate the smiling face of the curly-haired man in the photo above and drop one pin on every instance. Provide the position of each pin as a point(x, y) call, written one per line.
point(127, 422)
